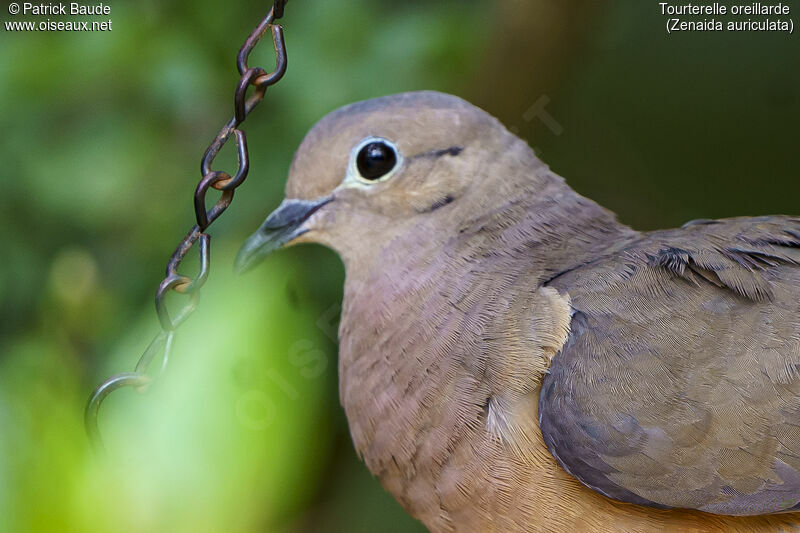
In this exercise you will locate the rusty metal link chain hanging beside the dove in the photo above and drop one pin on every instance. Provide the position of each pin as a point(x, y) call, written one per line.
point(212, 179)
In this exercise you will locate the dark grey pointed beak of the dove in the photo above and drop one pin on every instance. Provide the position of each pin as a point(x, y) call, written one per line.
point(282, 226)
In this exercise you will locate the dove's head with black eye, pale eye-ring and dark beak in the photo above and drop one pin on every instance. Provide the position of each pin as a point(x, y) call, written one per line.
point(422, 163)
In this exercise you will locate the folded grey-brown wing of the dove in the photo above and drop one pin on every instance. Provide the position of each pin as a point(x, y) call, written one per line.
point(679, 385)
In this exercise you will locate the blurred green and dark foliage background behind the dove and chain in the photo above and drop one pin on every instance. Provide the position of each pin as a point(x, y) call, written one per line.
point(101, 139)
